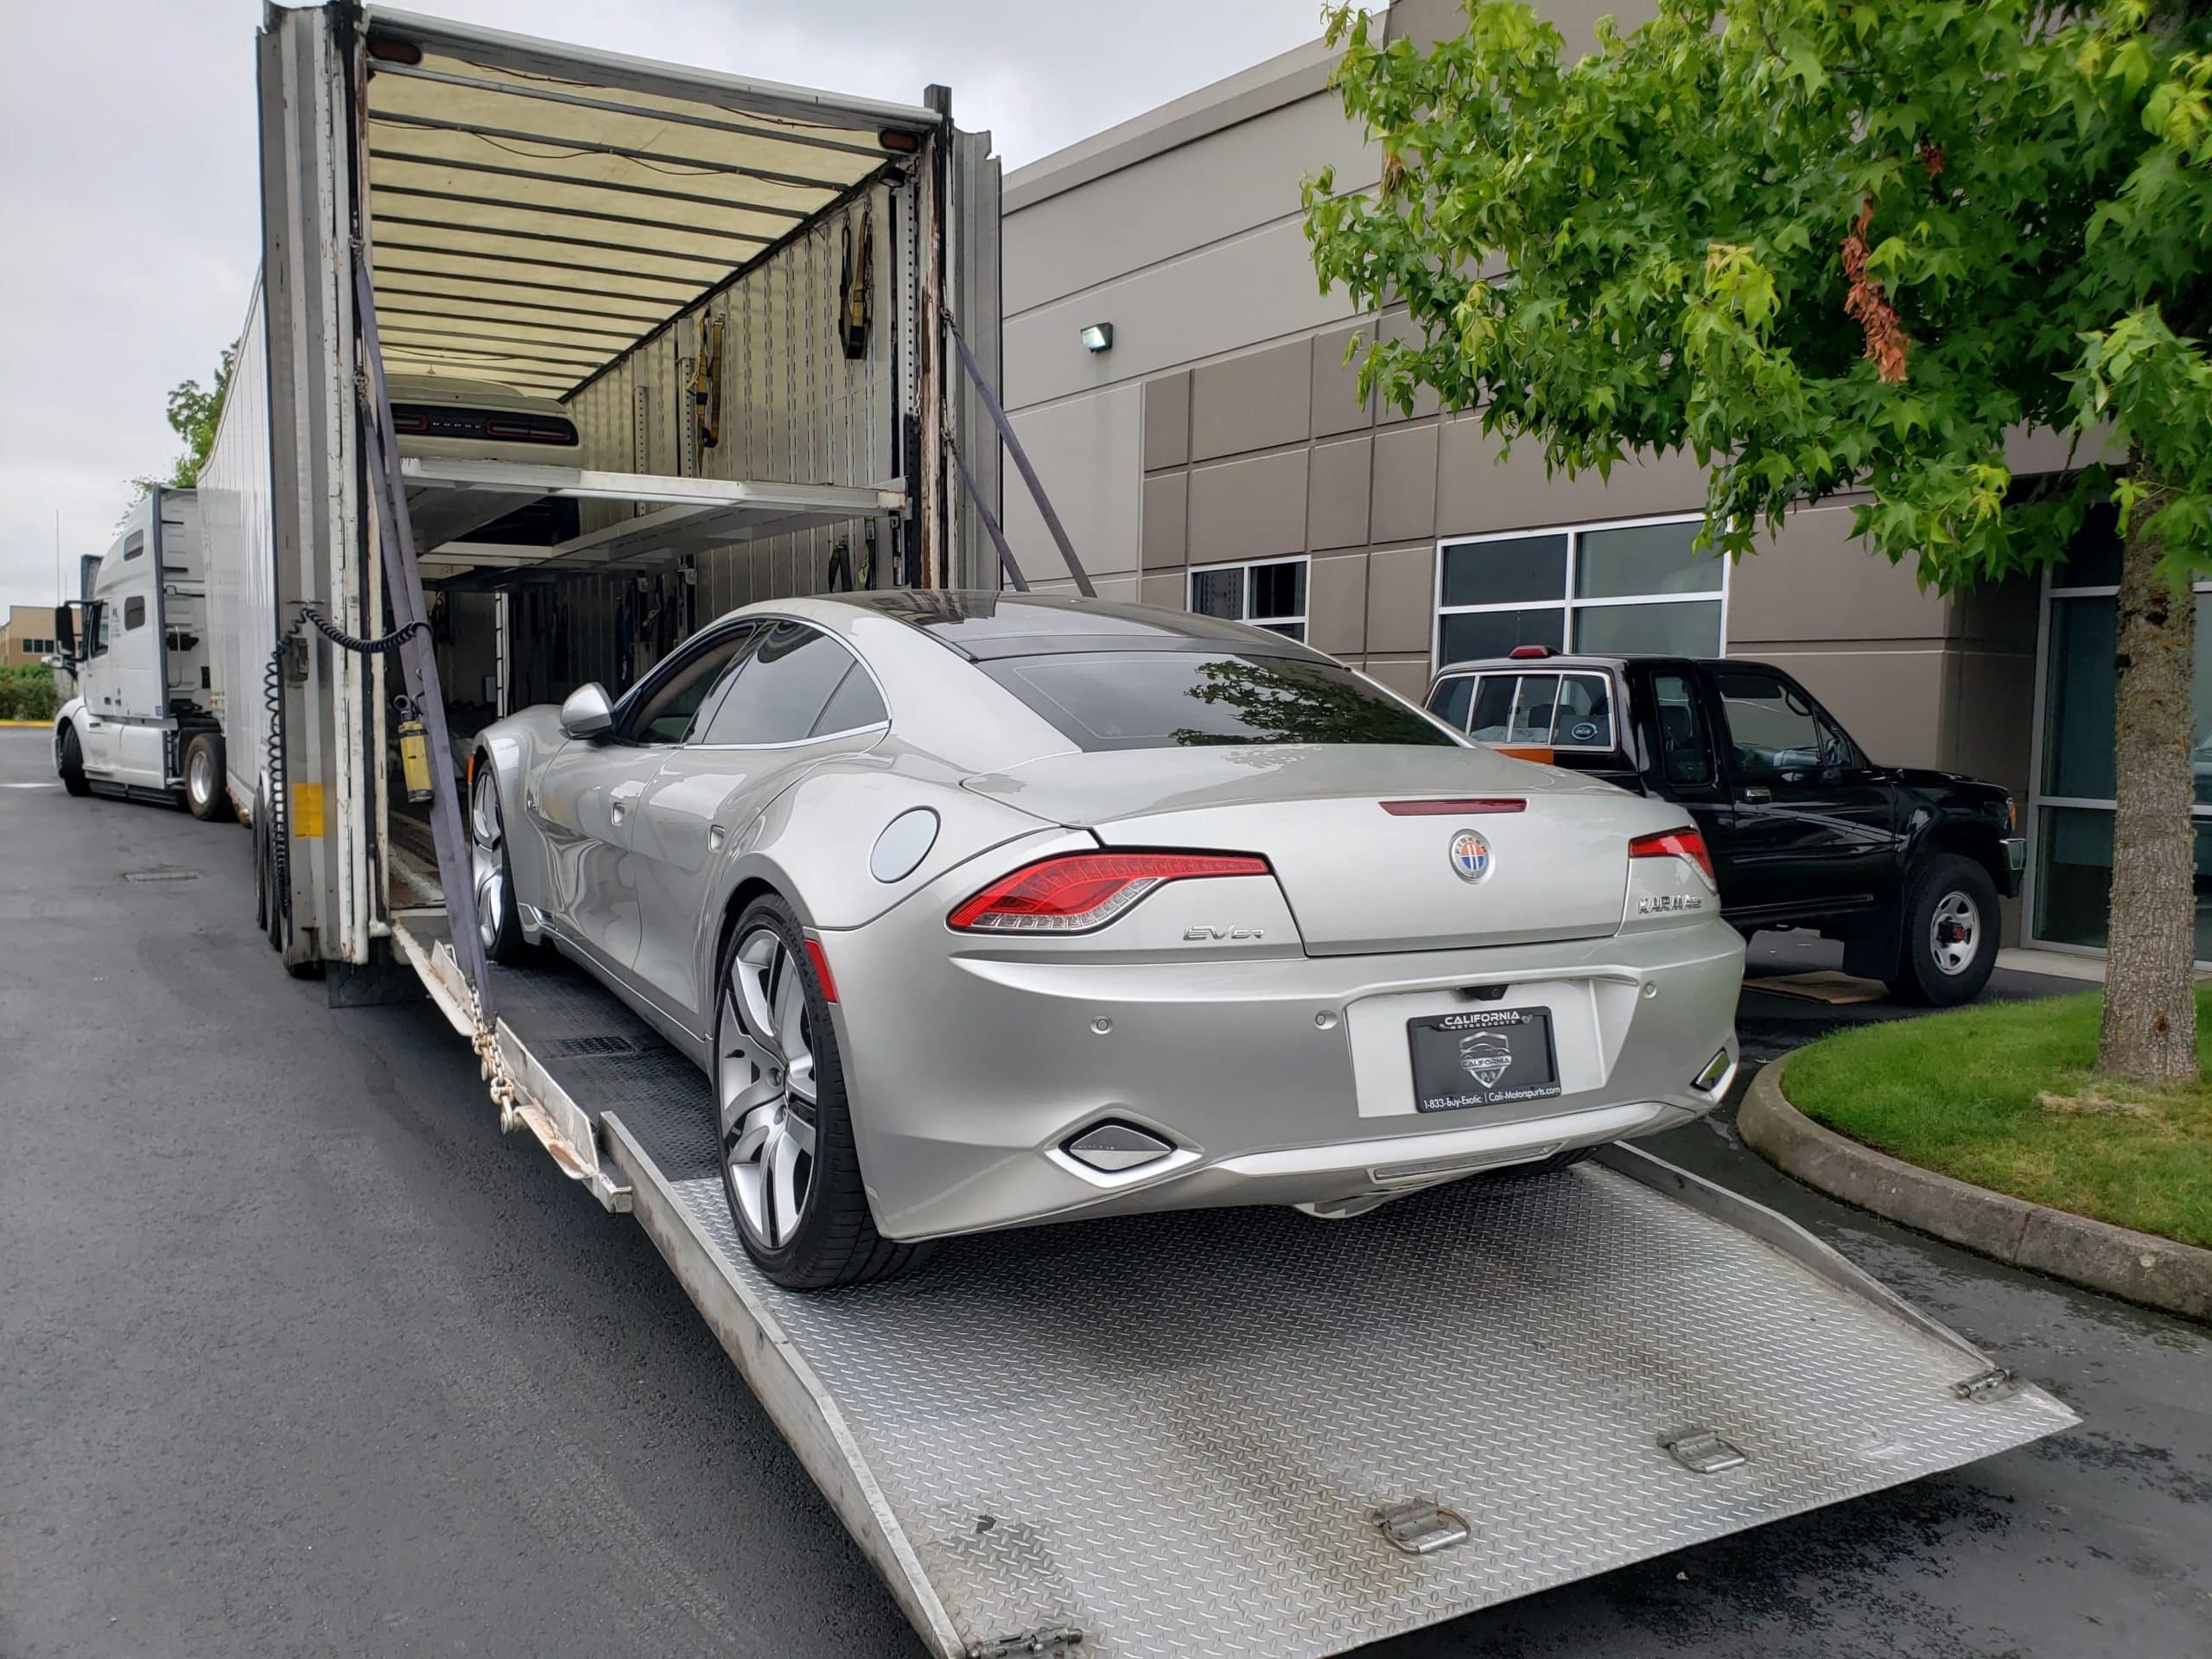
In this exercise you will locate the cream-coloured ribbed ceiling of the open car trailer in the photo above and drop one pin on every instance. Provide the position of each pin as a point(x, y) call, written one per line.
point(539, 211)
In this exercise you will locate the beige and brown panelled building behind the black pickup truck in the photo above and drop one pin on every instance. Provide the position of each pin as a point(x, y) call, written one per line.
point(1215, 457)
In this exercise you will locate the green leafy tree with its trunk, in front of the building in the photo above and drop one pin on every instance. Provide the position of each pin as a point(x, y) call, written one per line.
point(1841, 244)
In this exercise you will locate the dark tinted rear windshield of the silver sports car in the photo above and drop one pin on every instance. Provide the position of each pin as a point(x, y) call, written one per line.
point(1158, 700)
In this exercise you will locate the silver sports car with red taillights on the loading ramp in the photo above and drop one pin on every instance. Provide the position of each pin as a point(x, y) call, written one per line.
point(988, 910)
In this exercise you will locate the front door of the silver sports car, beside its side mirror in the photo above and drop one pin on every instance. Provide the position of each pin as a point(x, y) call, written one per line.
point(585, 802)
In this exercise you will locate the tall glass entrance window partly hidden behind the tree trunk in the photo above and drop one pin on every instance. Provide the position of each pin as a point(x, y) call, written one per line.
point(2072, 804)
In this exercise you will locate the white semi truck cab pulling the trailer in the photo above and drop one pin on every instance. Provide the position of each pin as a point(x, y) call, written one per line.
point(136, 640)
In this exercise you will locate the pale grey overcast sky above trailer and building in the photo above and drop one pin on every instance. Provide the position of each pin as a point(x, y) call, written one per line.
point(129, 198)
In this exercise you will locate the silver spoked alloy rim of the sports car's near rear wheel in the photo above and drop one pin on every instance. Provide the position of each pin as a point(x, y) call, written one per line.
point(764, 1081)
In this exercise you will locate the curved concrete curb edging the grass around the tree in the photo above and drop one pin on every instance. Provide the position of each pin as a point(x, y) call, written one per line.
point(2120, 1262)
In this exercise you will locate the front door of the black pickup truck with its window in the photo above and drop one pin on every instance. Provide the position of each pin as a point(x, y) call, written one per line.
point(1811, 826)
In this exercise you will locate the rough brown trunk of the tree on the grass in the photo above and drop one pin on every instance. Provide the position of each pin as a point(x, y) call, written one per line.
point(2149, 1027)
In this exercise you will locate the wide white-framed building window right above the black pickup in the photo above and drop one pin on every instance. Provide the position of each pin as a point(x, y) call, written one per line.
point(1607, 589)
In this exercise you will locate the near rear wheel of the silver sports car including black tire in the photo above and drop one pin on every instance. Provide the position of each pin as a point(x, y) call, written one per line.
point(835, 1238)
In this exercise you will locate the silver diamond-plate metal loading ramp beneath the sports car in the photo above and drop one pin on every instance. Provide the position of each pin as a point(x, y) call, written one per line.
point(1189, 1434)
